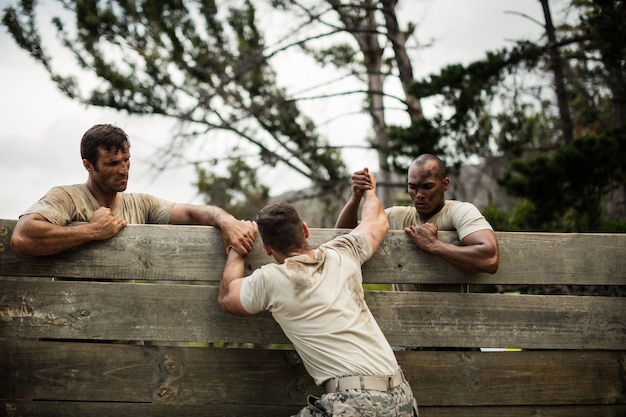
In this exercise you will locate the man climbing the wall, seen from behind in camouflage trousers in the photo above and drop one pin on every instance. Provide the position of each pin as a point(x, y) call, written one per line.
point(317, 298)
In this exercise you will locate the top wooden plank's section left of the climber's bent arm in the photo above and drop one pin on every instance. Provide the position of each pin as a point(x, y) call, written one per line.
point(138, 252)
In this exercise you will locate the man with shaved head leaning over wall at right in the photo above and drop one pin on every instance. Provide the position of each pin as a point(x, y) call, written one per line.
point(427, 184)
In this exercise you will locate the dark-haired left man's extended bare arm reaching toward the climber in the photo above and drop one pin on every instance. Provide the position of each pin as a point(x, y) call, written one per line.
point(235, 232)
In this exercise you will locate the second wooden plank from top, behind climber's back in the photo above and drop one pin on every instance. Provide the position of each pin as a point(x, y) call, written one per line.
point(180, 313)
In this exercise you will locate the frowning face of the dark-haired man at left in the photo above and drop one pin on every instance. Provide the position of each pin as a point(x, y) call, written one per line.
point(111, 170)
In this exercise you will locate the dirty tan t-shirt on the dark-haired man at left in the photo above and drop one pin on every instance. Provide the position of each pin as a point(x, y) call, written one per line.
point(74, 203)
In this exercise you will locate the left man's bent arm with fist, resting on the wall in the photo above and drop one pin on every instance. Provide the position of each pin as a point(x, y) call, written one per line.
point(35, 235)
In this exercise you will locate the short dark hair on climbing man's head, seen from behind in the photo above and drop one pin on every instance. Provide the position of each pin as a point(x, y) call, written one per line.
point(280, 227)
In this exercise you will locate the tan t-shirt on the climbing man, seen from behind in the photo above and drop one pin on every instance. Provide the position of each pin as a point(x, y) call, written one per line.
point(319, 305)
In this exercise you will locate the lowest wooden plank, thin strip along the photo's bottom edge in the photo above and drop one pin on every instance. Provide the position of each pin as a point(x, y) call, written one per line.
point(79, 409)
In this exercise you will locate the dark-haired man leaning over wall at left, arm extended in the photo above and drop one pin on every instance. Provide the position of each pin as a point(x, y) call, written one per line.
point(103, 209)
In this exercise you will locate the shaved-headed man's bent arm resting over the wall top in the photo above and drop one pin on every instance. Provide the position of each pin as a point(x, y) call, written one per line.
point(478, 251)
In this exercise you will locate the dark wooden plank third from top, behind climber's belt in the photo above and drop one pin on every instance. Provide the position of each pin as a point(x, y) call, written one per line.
point(182, 375)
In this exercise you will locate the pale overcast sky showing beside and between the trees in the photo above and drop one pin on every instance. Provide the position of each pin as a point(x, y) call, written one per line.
point(41, 128)
